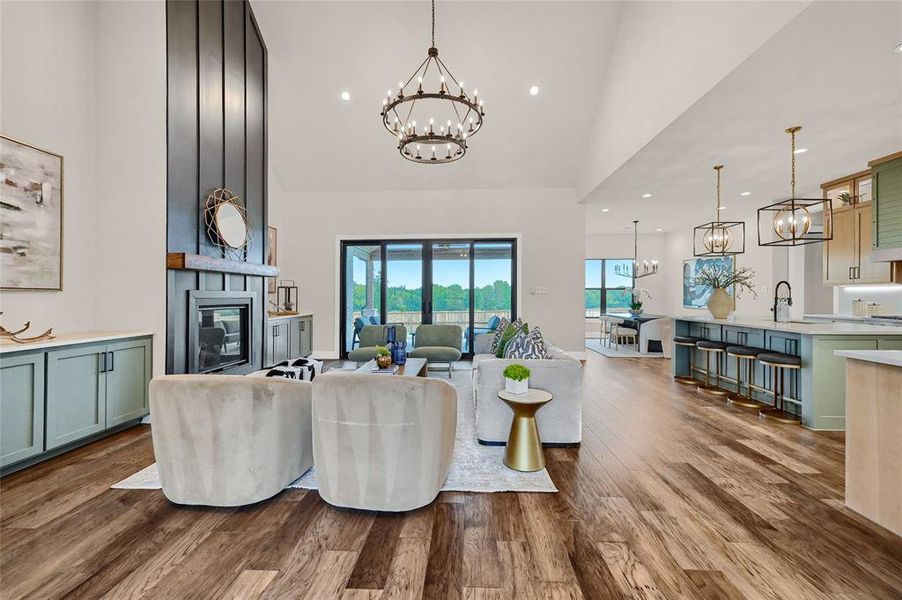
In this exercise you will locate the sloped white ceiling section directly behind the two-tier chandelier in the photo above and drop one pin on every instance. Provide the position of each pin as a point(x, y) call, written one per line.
point(318, 49)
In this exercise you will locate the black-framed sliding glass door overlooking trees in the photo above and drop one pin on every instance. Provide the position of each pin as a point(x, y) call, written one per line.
point(459, 282)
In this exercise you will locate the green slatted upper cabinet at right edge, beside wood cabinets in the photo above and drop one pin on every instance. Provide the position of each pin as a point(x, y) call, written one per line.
point(887, 217)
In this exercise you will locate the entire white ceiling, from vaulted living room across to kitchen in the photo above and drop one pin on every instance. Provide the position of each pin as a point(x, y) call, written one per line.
point(635, 97)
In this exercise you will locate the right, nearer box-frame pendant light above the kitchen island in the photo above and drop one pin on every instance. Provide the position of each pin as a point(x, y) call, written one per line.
point(794, 221)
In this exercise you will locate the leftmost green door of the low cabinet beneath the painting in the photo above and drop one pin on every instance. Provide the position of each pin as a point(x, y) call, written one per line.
point(22, 407)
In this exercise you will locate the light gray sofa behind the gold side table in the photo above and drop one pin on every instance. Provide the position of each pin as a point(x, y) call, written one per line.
point(560, 421)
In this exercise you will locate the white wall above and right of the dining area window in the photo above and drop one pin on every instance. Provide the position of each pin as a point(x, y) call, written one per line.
point(651, 247)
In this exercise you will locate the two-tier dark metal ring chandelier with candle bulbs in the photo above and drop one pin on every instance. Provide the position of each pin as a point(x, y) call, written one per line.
point(448, 117)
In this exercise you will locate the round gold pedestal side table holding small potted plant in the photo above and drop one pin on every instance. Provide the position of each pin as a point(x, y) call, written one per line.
point(524, 448)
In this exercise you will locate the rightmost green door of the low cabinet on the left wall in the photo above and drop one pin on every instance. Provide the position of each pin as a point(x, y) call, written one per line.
point(129, 368)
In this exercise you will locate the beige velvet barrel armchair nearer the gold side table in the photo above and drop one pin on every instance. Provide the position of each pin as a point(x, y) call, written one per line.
point(382, 442)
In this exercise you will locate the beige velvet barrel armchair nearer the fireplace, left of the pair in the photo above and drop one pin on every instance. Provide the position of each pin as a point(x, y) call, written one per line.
point(225, 440)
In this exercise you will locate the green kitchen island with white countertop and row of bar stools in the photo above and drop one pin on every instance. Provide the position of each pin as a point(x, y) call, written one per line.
point(817, 391)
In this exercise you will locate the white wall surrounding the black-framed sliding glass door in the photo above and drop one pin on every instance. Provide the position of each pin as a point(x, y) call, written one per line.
point(552, 249)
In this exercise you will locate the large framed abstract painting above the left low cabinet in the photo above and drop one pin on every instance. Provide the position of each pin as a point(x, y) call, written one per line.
point(31, 217)
